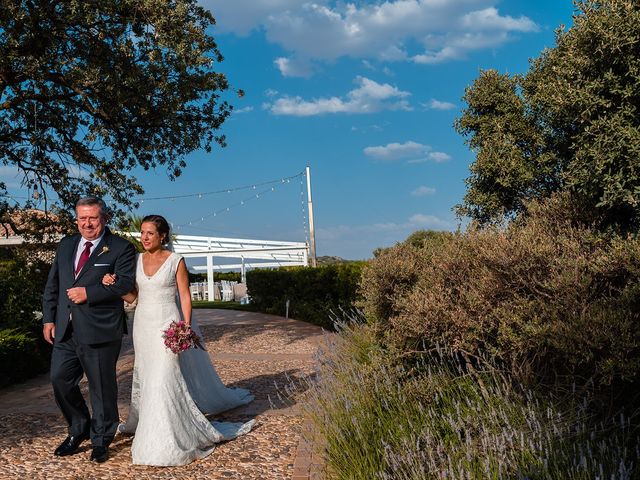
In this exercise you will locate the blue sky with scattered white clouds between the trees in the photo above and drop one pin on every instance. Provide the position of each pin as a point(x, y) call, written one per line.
point(365, 93)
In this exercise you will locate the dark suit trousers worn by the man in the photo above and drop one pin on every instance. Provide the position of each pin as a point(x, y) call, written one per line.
point(70, 360)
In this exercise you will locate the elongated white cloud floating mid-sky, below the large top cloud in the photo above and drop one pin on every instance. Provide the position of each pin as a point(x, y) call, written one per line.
point(369, 97)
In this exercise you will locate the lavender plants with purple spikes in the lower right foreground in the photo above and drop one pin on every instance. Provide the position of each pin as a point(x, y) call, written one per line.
point(442, 416)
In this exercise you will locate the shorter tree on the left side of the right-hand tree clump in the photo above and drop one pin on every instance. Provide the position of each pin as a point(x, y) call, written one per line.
point(512, 164)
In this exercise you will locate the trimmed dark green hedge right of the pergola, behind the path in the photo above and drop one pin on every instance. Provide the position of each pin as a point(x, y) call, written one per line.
point(313, 293)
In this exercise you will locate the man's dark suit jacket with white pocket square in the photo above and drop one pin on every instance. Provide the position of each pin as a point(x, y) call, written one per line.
point(101, 318)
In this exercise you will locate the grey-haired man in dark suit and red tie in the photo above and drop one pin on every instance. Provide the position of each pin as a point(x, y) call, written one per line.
point(85, 321)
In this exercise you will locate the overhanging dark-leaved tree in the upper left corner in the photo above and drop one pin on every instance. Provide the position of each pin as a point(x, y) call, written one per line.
point(90, 89)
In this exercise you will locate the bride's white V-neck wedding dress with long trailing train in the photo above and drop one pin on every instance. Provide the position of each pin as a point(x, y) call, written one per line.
point(171, 393)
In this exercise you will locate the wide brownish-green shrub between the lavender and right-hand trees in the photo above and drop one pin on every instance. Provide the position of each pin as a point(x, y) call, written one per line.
point(556, 302)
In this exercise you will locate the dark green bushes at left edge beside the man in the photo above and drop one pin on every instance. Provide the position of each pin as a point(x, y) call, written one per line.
point(23, 352)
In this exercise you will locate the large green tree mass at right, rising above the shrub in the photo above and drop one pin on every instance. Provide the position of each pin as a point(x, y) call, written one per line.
point(570, 123)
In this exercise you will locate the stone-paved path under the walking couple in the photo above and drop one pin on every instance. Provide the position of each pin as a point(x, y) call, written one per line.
point(250, 350)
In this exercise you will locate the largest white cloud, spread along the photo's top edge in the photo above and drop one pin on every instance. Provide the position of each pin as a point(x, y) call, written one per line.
point(422, 31)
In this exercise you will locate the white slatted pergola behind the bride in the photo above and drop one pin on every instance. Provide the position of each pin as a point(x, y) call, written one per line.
point(247, 253)
